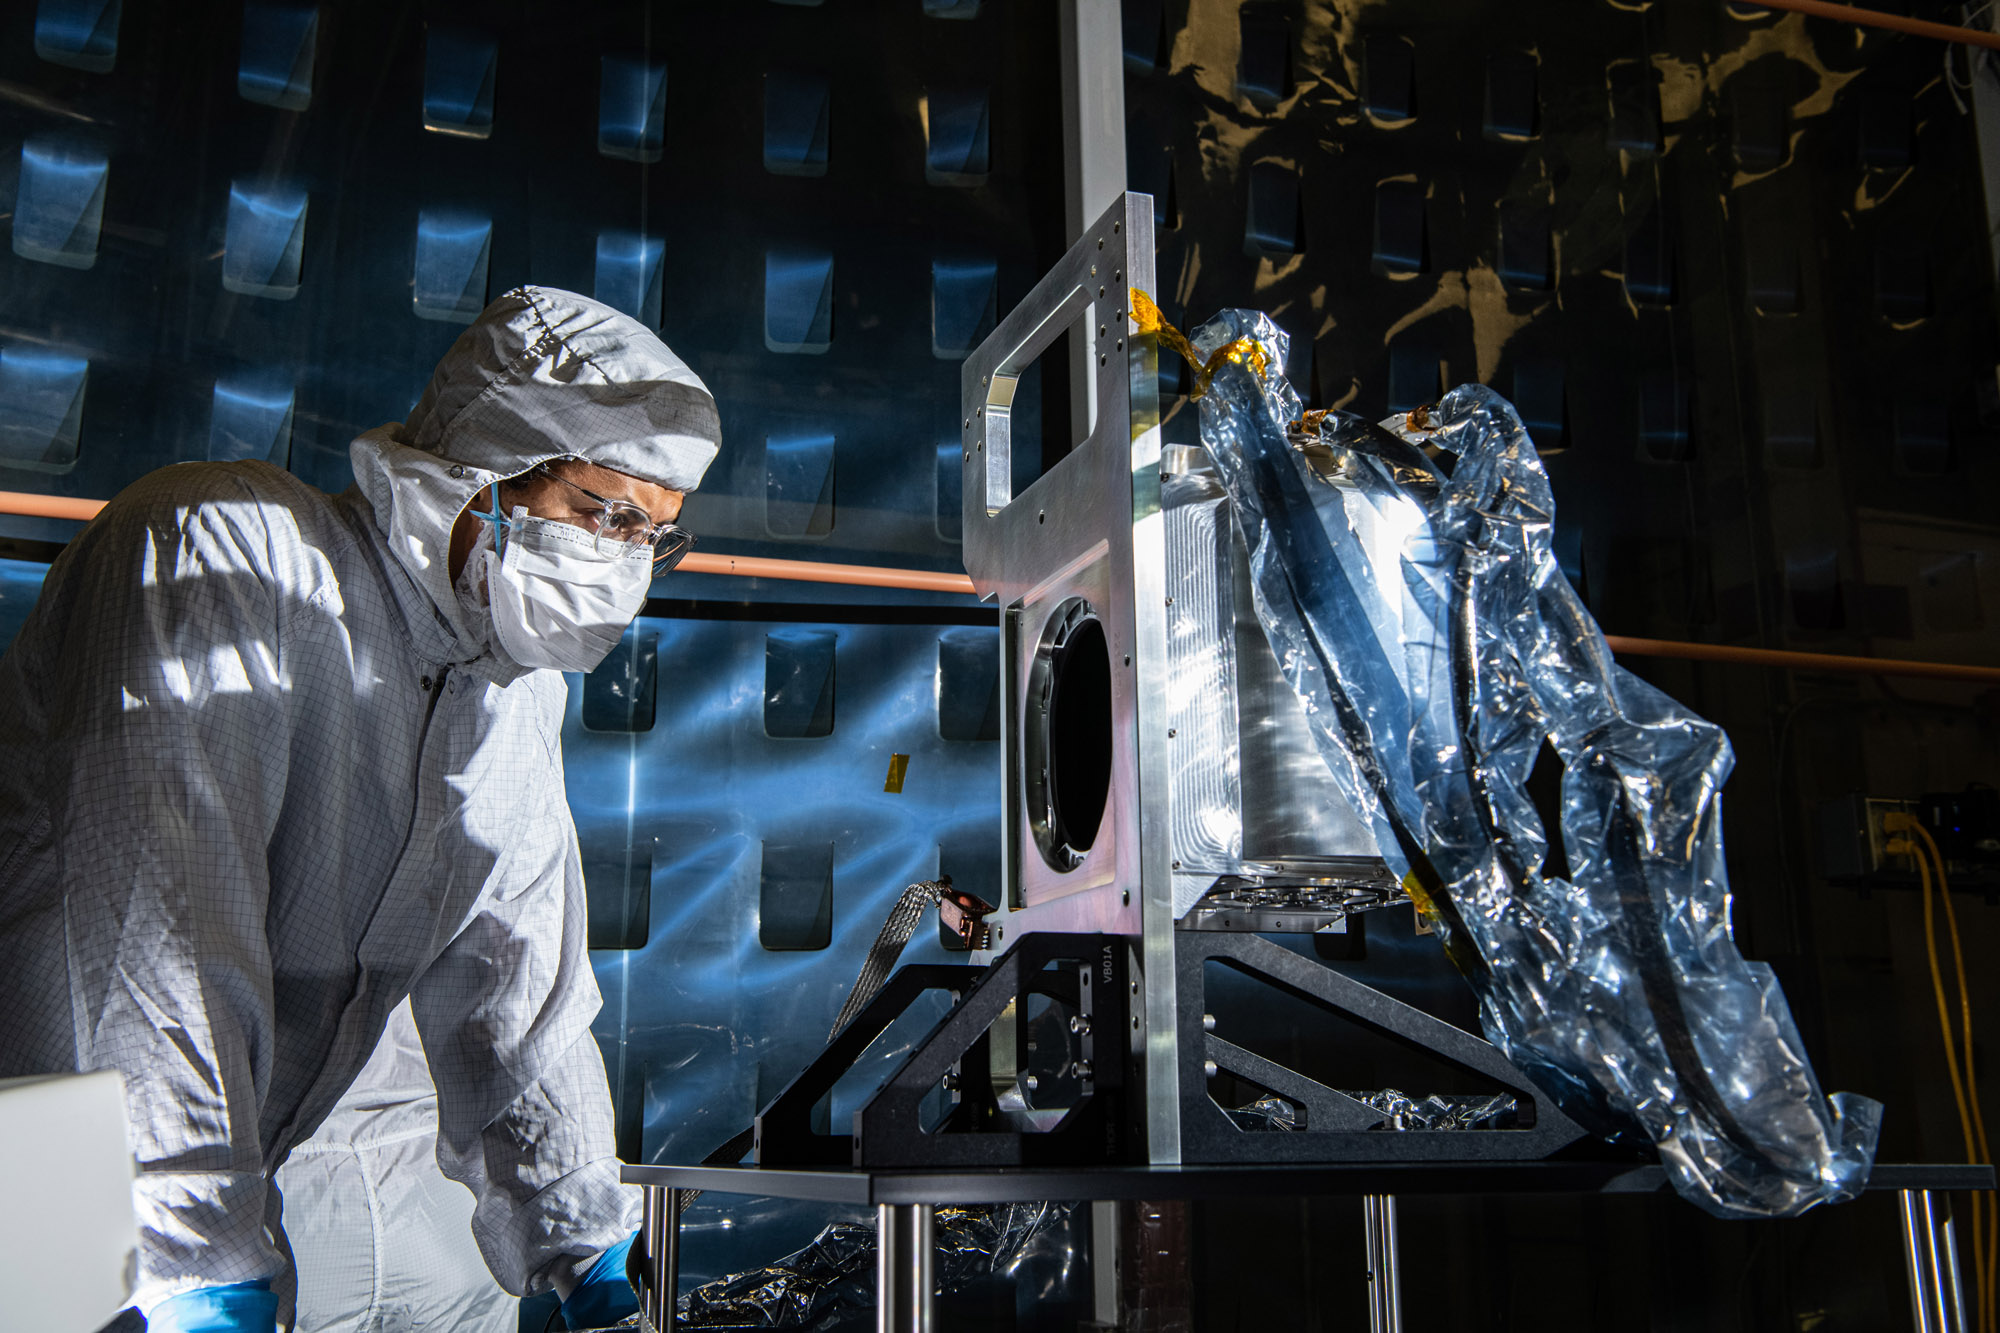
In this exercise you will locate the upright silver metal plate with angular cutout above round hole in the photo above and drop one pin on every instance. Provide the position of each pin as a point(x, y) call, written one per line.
point(1089, 529)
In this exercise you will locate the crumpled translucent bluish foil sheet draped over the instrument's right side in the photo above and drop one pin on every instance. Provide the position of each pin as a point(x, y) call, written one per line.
point(1431, 684)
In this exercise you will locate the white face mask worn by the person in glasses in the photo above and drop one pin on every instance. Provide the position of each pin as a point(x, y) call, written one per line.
point(557, 601)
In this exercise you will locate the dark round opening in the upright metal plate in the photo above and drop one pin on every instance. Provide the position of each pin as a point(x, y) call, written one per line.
point(1071, 736)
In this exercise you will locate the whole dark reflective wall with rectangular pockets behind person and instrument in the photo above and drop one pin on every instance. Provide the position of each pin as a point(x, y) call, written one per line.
point(1733, 267)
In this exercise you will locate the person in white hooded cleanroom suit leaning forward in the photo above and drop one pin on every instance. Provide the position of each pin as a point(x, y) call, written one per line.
point(273, 762)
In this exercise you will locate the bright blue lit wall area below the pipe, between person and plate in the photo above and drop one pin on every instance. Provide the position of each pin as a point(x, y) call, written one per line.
point(775, 860)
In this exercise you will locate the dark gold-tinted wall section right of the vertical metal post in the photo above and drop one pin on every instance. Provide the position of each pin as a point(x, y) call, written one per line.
point(1733, 269)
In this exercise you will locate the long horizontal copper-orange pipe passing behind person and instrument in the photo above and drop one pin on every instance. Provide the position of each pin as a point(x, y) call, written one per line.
point(937, 581)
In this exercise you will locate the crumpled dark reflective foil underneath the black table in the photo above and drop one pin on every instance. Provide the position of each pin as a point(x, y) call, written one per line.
point(831, 1284)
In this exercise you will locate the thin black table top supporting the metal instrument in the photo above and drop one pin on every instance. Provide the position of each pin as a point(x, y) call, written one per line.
point(1291, 1180)
